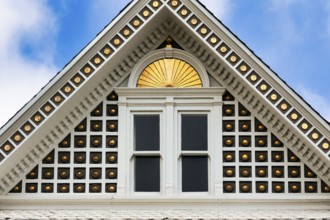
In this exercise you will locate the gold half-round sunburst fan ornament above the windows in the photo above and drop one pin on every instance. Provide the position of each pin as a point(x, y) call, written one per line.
point(169, 73)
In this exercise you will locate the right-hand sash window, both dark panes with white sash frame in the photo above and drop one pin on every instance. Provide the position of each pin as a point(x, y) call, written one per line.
point(194, 178)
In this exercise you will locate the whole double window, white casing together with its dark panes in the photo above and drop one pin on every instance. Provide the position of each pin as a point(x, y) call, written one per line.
point(188, 147)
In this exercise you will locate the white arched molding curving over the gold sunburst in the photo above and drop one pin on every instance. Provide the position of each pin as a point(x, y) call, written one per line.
point(168, 53)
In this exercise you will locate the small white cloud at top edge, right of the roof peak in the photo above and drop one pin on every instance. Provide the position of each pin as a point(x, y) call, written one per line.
point(220, 8)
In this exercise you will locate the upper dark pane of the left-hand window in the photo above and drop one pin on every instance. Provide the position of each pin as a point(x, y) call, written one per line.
point(146, 132)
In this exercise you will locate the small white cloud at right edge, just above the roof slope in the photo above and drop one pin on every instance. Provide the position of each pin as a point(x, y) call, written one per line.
point(320, 103)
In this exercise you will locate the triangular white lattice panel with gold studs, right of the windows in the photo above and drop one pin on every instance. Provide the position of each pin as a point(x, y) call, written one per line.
point(255, 161)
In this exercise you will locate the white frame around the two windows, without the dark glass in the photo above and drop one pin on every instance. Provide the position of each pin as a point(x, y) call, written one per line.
point(170, 103)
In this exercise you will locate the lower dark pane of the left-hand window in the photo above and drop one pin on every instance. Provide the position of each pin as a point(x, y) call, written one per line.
point(147, 174)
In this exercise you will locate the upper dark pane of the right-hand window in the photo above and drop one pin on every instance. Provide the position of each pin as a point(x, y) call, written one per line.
point(194, 132)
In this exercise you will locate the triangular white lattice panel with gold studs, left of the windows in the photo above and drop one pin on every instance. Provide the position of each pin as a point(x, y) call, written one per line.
point(85, 161)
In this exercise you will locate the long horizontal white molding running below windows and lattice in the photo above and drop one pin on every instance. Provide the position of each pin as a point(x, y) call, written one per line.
point(101, 202)
